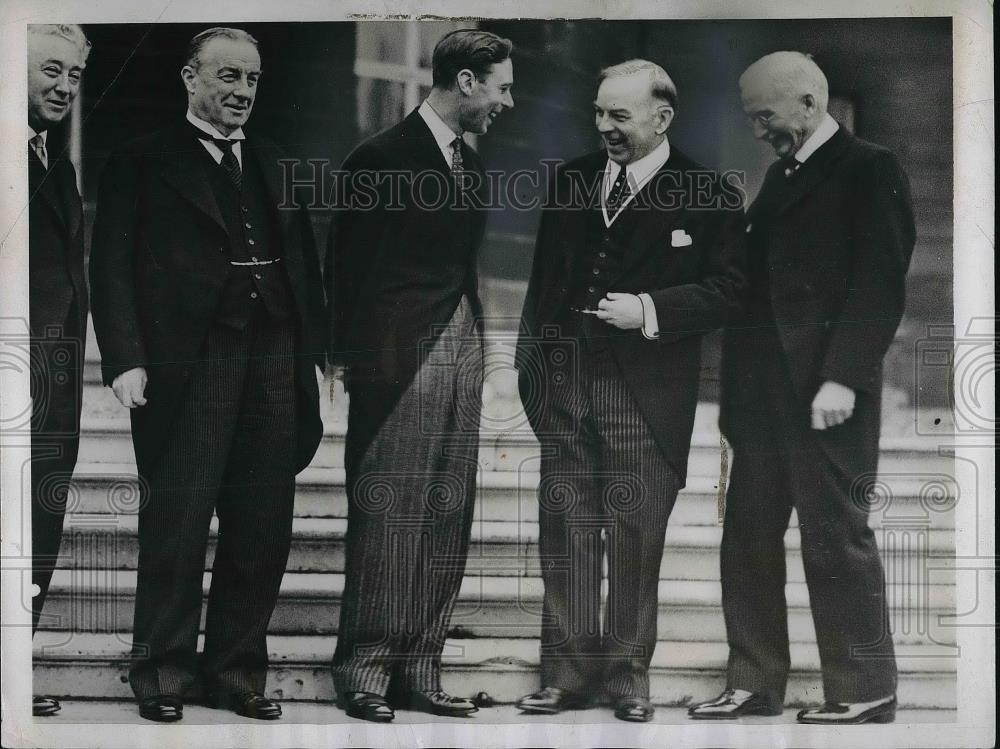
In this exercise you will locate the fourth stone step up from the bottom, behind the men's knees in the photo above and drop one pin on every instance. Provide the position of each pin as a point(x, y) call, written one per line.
point(903, 503)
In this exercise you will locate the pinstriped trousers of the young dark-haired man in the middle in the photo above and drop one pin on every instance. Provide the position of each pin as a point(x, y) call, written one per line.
point(411, 499)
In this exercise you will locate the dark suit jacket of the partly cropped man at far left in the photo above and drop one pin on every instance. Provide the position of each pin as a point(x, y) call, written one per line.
point(55, 268)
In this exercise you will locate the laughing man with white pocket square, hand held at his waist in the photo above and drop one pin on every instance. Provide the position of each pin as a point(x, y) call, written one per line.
point(638, 255)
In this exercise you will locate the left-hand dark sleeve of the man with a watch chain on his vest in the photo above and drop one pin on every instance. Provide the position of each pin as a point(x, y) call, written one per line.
point(112, 269)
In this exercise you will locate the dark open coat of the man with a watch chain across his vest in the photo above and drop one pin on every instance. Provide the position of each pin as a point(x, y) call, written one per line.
point(158, 267)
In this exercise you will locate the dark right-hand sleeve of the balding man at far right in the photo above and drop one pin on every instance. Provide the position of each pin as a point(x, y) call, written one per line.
point(884, 235)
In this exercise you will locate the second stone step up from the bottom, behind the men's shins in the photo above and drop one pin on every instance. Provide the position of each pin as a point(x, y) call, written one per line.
point(510, 607)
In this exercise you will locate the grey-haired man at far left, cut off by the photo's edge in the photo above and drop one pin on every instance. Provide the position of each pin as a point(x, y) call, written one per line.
point(57, 55)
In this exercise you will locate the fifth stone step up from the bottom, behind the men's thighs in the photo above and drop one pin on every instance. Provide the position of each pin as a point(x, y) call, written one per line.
point(108, 440)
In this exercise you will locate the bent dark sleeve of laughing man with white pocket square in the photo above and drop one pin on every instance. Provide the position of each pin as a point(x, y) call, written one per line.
point(709, 303)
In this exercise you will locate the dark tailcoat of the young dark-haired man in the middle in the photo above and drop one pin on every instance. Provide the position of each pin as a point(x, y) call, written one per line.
point(402, 252)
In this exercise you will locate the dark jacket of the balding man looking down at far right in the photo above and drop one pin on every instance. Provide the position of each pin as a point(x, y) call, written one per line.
point(829, 250)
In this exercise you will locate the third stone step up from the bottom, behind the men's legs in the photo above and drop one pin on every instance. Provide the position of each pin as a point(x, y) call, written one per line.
point(505, 548)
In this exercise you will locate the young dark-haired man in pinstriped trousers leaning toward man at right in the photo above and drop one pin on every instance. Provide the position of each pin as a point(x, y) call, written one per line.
point(401, 273)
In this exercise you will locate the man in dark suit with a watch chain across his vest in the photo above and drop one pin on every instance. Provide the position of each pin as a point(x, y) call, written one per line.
point(208, 307)
